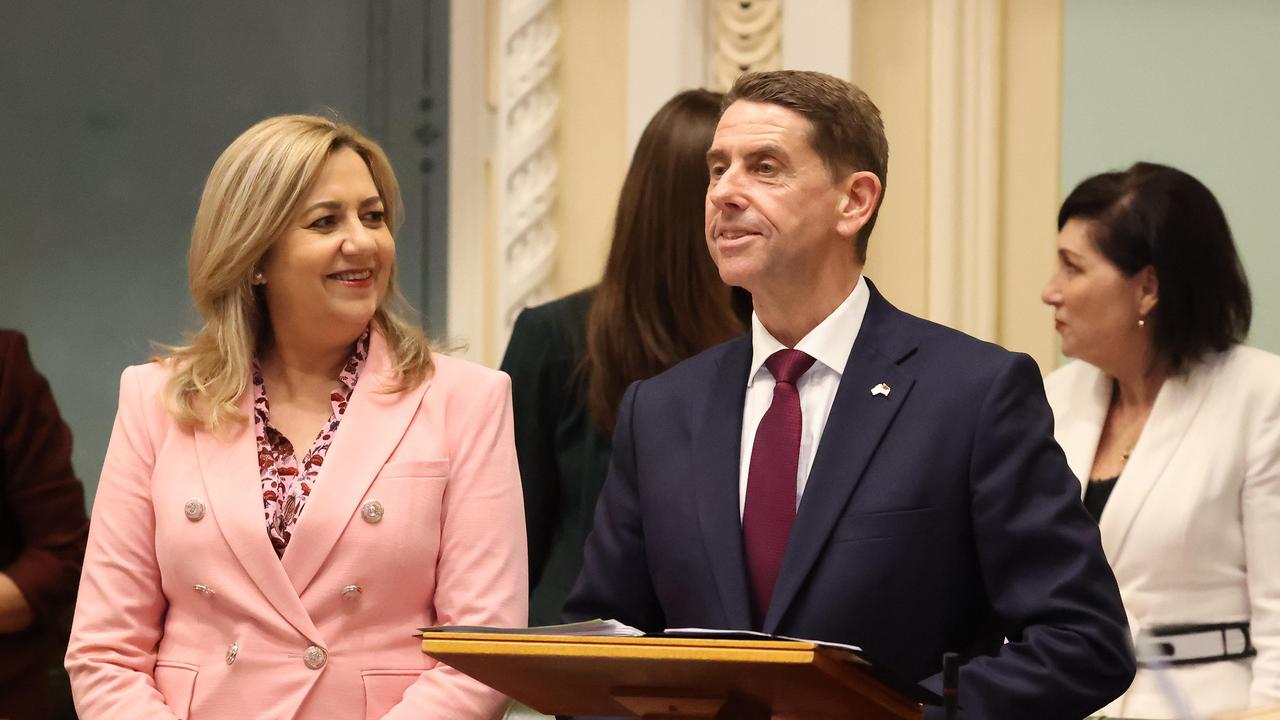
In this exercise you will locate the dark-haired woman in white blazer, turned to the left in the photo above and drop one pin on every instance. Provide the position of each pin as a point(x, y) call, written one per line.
point(1174, 430)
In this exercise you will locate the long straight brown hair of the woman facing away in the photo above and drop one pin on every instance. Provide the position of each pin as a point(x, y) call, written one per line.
point(661, 299)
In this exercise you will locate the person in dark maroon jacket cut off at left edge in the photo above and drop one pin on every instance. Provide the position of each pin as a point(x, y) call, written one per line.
point(43, 534)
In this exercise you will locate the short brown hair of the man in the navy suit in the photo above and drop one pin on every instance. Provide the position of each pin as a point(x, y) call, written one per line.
point(848, 133)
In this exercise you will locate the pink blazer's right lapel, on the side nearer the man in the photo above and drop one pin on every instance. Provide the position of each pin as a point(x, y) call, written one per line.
point(372, 427)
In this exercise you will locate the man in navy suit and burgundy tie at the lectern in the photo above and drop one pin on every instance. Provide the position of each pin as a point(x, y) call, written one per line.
point(849, 472)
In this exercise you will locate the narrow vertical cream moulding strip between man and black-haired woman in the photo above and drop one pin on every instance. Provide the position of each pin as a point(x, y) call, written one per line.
point(964, 166)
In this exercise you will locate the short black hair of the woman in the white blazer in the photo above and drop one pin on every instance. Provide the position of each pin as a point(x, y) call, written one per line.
point(1163, 217)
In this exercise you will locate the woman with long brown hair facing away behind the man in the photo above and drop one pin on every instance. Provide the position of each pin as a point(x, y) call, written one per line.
point(660, 302)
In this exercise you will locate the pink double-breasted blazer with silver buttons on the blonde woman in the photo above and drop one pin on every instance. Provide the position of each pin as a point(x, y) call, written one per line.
point(185, 610)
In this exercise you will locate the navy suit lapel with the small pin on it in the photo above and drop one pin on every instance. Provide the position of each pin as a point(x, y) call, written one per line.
point(854, 429)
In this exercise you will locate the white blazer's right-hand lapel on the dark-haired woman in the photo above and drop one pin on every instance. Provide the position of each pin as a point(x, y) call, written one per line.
point(1176, 408)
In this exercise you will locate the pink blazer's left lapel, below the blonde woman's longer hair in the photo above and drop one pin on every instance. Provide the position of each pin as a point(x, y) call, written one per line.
point(231, 476)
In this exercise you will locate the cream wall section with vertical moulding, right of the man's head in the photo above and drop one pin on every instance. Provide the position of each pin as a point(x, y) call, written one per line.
point(971, 97)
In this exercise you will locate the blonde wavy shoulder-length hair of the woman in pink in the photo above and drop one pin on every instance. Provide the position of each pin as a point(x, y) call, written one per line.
point(252, 195)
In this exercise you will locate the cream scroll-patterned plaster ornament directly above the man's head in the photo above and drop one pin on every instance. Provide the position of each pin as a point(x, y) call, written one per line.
point(748, 38)
